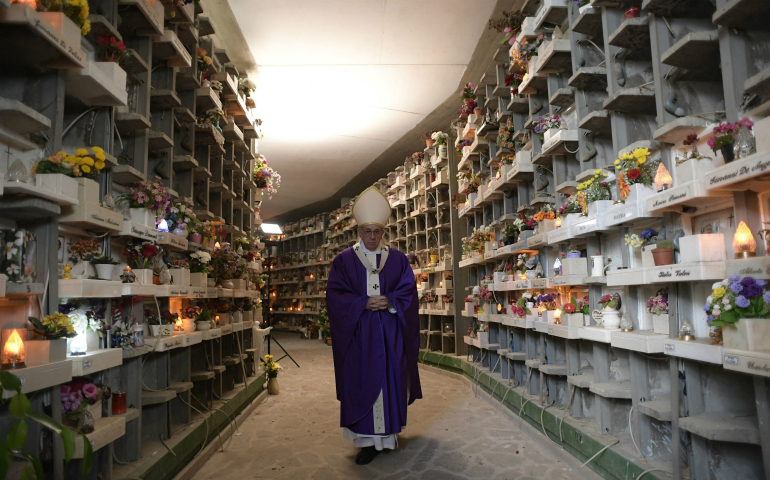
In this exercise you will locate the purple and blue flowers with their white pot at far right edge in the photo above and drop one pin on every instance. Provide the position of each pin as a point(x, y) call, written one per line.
point(741, 307)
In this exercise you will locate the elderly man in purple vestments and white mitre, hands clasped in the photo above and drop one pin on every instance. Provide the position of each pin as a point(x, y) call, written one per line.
point(372, 301)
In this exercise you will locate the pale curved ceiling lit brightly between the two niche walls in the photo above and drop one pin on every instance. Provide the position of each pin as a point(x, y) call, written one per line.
point(346, 87)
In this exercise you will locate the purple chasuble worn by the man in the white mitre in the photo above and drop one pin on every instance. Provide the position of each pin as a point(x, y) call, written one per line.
point(374, 351)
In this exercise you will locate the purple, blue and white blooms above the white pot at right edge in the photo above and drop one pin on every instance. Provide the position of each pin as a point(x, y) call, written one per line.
point(735, 298)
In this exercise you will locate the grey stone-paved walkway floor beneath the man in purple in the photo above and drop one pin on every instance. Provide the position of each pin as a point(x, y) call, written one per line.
point(451, 434)
